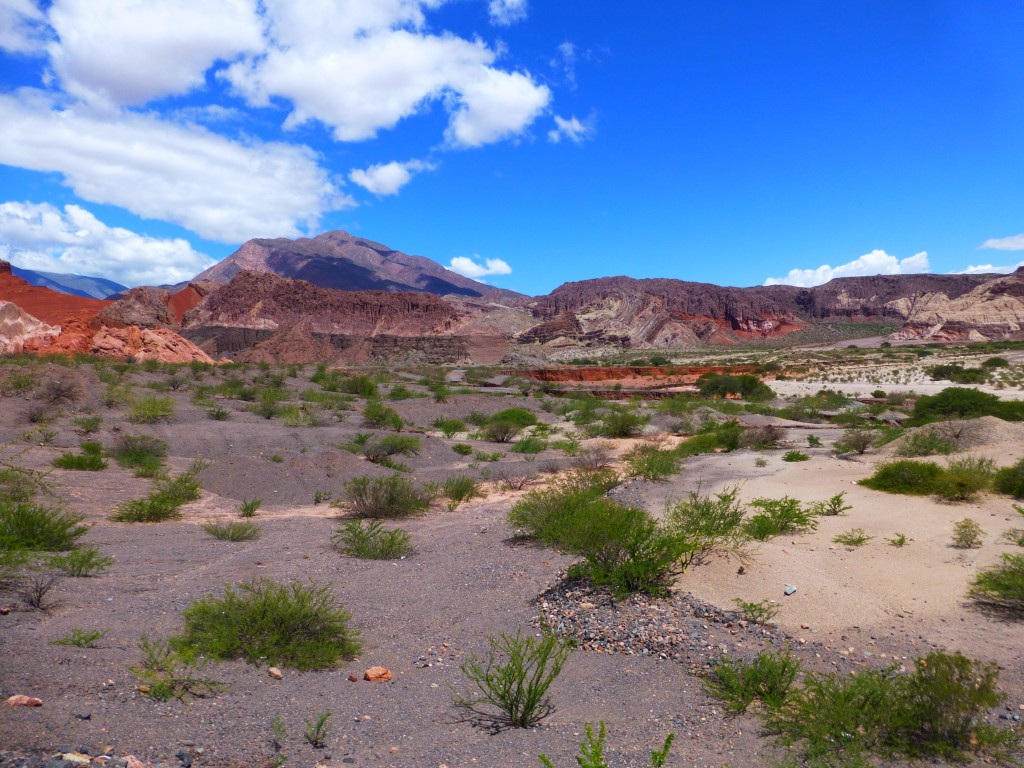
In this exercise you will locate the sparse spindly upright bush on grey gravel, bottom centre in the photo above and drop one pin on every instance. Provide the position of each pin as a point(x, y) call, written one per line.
point(514, 679)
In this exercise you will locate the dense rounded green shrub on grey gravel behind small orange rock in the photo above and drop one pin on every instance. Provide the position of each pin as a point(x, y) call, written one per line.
point(268, 623)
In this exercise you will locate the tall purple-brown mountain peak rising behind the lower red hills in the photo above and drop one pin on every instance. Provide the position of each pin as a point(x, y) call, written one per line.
point(346, 263)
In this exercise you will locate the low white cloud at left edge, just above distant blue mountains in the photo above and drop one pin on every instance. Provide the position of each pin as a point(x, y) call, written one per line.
point(41, 237)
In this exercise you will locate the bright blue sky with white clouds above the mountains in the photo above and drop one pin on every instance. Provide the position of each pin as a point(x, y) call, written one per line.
point(525, 143)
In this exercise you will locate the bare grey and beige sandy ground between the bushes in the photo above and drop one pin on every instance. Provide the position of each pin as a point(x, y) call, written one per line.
point(421, 617)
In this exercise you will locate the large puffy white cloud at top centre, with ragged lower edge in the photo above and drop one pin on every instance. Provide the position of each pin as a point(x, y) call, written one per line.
point(363, 66)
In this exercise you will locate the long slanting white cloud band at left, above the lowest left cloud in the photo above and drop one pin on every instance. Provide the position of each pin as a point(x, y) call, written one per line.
point(220, 189)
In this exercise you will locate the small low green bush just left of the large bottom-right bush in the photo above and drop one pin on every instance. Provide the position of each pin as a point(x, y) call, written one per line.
point(769, 677)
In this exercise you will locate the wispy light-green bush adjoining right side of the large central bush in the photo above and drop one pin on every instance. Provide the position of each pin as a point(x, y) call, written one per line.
point(709, 524)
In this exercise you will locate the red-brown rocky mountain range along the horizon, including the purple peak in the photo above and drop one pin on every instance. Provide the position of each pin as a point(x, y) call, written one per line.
point(338, 298)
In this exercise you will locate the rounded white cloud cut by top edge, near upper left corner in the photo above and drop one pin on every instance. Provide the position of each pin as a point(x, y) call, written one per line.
point(117, 53)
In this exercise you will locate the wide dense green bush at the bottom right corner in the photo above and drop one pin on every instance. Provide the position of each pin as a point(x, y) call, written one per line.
point(936, 711)
